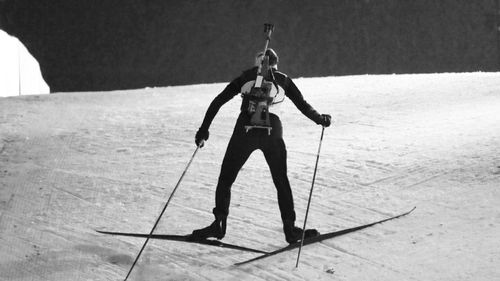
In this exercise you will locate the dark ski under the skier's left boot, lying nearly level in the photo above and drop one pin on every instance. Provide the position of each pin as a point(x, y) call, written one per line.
point(185, 238)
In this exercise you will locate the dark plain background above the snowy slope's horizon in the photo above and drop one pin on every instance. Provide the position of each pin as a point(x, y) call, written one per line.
point(90, 45)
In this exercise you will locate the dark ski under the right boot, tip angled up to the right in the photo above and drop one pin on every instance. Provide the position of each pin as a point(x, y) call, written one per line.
point(321, 238)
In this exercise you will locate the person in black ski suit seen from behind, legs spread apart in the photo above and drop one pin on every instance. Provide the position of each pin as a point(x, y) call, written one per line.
point(243, 142)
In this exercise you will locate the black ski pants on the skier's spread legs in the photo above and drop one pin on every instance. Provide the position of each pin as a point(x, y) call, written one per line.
point(240, 147)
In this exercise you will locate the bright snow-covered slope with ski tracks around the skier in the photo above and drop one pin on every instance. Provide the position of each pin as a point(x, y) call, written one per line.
point(71, 163)
